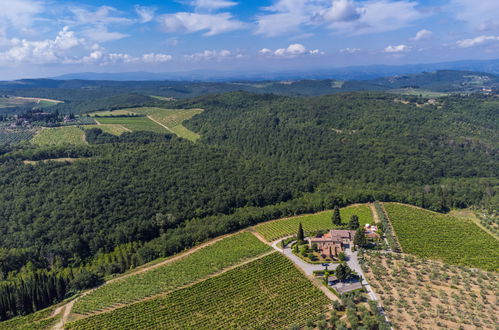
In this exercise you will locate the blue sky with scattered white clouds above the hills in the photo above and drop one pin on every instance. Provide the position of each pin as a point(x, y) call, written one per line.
point(45, 38)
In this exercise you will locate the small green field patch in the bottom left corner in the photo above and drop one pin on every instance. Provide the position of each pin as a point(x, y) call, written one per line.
point(40, 320)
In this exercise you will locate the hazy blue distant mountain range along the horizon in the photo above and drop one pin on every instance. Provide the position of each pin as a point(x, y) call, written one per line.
point(343, 73)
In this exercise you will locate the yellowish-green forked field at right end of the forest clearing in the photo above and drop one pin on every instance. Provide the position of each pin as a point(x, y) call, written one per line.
point(172, 119)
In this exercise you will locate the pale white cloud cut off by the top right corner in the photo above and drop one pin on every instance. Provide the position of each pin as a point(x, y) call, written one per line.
point(480, 15)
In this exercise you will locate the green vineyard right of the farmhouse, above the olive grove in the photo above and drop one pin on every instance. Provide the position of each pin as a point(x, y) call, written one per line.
point(457, 241)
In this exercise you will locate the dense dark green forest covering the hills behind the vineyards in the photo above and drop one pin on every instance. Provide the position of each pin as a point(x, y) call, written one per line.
point(140, 196)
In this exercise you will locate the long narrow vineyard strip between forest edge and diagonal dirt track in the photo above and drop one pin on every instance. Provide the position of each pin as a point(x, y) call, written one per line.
point(200, 264)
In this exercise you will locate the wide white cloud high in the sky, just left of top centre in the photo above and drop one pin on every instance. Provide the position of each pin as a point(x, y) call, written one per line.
point(193, 22)
